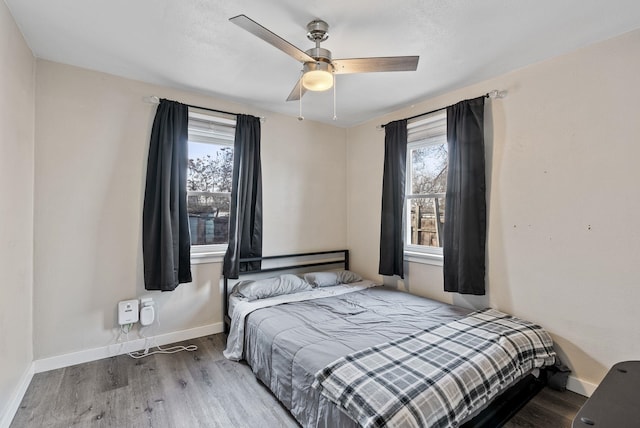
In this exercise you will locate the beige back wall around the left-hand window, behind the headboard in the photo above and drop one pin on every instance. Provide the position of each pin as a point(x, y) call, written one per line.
point(92, 136)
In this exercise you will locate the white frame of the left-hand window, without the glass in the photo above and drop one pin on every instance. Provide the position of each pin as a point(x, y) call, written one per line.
point(208, 253)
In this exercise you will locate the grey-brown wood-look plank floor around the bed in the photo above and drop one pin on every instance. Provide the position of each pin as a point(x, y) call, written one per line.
point(195, 389)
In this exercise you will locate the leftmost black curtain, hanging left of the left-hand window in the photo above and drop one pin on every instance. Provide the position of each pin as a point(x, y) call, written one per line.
point(166, 244)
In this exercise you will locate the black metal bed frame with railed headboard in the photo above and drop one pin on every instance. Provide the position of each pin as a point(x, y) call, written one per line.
point(495, 415)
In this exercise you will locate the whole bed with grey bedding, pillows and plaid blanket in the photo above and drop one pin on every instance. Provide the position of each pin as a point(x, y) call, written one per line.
point(299, 344)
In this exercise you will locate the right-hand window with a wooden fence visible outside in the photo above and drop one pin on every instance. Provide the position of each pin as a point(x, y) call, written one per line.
point(426, 184)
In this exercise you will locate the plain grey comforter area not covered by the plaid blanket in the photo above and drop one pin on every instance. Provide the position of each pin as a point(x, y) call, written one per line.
point(287, 344)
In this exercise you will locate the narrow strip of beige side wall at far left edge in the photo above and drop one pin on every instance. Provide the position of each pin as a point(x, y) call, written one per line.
point(17, 67)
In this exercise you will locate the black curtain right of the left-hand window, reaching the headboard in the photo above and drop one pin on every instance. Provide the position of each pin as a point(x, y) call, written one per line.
point(245, 222)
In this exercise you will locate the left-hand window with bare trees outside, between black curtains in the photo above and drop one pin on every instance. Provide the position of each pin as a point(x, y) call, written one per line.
point(209, 176)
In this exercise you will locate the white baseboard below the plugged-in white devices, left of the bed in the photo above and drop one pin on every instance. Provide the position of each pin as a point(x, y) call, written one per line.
point(66, 360)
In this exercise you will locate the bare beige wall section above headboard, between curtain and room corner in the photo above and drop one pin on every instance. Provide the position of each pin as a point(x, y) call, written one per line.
point(303, 168)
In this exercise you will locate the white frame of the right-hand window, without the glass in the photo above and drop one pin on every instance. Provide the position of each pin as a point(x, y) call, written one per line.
point(419, 137)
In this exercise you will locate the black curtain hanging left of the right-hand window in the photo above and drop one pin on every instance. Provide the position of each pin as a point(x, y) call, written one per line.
point(393, 196)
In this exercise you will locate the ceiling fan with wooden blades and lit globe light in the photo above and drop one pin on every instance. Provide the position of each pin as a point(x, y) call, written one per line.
point(318, 66)
